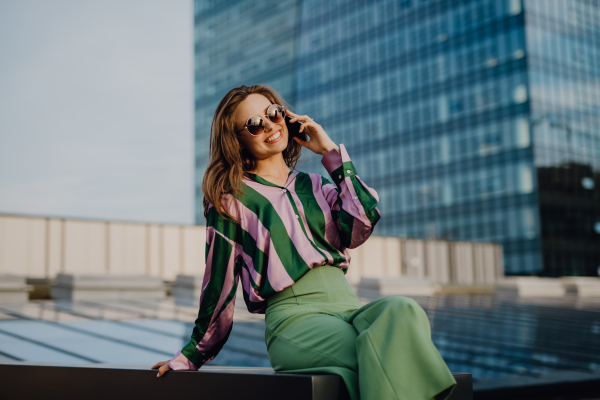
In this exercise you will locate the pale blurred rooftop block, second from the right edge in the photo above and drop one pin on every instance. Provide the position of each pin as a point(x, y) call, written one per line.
point(530, 286)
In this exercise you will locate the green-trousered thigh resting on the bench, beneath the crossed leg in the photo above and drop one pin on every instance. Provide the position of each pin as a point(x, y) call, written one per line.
point(302, 337)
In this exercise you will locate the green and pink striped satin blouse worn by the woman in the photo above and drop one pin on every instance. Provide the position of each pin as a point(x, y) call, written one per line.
point(283, 232)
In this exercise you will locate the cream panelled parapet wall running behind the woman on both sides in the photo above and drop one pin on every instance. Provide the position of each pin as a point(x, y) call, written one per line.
point(39, 247)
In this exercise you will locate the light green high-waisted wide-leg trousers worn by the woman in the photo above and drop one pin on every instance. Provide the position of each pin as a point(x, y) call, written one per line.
point(382, 350)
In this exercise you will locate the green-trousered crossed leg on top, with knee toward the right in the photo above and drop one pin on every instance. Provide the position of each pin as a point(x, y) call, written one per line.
point(396, 357)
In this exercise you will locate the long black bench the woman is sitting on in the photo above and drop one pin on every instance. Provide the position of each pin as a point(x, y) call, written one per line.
point(26, 380)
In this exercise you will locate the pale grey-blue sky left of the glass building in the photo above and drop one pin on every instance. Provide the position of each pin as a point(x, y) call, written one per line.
point(96, 109)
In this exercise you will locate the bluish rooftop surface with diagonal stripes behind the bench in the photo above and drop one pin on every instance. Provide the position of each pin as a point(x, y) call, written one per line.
point(502, 340)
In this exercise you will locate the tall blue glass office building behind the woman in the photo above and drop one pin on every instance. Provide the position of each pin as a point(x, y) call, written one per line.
point(474, 120)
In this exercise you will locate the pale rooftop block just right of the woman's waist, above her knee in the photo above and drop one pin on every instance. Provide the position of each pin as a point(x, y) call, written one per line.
point(402, 286)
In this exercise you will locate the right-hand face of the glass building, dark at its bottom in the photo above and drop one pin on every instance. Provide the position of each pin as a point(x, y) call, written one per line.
point(564, 79)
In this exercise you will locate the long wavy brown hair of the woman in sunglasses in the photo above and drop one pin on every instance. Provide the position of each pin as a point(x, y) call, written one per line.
point(228, 160)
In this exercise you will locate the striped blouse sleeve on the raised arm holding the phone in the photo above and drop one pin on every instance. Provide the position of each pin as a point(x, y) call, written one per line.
point(353, 204)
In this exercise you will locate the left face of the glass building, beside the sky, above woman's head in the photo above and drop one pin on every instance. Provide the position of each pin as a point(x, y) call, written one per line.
point(238, 42)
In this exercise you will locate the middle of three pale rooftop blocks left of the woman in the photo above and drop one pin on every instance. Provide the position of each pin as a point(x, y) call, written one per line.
point(107, 287)
